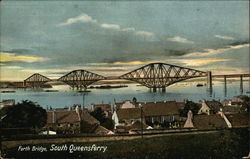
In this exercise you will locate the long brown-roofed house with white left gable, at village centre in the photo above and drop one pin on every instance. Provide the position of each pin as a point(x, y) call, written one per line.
point(151, 112)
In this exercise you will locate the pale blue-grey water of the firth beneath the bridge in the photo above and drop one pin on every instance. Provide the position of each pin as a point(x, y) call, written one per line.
point(67, 97)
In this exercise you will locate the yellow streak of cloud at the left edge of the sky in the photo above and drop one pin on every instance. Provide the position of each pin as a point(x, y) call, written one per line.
point(12, 57)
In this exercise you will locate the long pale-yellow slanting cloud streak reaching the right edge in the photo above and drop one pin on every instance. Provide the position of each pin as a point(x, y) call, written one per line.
point(209, 52)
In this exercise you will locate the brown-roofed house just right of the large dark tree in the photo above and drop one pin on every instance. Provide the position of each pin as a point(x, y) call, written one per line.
point(66, 121)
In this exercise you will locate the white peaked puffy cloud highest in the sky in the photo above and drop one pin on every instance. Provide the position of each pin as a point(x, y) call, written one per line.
point(81, 18)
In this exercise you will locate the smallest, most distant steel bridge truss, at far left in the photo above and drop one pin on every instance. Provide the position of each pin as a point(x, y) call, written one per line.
point(36, 80)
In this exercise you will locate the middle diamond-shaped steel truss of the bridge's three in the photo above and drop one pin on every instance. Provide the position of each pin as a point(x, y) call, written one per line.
point(80, 78)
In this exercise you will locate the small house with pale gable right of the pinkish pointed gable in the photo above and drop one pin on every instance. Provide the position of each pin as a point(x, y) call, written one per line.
point(210, 107)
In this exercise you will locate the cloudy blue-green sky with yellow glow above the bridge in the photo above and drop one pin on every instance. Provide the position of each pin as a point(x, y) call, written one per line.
point(111, 38)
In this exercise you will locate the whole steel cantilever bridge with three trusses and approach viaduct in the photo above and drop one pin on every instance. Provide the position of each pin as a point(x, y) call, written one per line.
point(153, 75)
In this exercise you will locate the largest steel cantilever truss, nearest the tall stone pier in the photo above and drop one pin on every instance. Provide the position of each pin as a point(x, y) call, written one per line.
point(161, 75)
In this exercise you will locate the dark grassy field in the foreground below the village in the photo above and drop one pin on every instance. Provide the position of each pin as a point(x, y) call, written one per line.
point(225, 144)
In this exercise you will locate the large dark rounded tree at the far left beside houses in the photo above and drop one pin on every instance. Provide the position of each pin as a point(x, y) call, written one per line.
point(24, 115)
